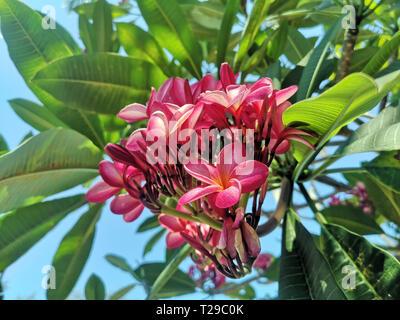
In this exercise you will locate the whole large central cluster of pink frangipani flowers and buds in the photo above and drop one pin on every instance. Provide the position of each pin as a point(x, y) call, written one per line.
point(171, 159)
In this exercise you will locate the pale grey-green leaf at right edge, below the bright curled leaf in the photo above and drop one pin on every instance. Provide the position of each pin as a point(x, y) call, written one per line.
point(379, 134)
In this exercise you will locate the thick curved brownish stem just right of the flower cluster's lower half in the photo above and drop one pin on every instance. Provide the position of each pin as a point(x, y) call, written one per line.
point(277, 216)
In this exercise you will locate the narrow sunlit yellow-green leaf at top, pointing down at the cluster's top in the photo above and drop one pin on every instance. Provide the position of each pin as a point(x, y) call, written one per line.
point(252, 27)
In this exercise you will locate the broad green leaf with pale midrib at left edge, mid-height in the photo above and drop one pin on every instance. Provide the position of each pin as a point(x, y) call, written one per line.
point(51, 162)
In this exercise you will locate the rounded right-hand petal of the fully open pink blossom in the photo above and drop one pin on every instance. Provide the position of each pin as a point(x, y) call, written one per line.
point(251, 174)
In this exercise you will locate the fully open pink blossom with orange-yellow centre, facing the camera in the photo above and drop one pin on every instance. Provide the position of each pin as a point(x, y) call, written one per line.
point(226, 181)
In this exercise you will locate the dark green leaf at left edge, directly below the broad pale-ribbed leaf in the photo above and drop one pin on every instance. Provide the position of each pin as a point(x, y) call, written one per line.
point(22, 228)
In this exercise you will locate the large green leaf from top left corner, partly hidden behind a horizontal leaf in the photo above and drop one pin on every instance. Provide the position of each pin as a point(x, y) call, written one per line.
point(31, 47)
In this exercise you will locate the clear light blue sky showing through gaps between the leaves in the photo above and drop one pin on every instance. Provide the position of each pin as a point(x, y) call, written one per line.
point(23, 278)
